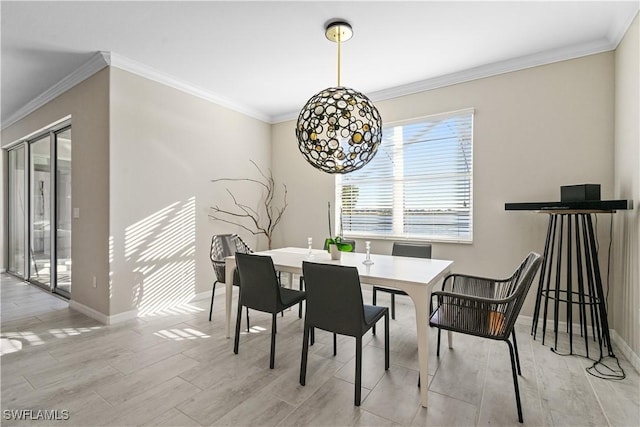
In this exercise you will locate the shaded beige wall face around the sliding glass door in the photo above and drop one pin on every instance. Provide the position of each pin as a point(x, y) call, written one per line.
point(88, 105)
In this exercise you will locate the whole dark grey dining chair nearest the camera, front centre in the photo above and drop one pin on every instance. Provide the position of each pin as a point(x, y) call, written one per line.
point(334, 304)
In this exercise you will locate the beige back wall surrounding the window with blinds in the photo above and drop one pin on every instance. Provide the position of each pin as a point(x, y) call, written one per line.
point(534, 130)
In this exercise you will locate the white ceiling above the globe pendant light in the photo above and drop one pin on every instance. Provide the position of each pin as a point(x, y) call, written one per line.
point(267, 58)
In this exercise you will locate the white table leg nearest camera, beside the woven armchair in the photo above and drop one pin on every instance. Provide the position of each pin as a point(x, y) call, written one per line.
point(420, 297)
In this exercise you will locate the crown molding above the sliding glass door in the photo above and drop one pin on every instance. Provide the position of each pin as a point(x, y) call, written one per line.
point(96, 63)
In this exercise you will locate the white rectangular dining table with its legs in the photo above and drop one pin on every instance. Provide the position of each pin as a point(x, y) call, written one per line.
point(415, 276)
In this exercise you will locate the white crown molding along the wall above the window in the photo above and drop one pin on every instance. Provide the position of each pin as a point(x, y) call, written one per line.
point(494, 69)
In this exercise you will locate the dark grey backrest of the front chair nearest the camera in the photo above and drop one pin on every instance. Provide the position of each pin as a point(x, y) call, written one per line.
point(334, 298)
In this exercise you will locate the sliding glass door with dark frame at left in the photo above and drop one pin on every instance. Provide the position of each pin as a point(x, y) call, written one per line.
point(40, 210)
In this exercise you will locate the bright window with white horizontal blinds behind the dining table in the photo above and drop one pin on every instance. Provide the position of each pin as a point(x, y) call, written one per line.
point(418, 186)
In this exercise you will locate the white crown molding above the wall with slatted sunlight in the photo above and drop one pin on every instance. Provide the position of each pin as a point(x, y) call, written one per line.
point(142, 70)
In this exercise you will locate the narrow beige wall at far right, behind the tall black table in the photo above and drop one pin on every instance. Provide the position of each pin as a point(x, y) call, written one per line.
point(627, 186)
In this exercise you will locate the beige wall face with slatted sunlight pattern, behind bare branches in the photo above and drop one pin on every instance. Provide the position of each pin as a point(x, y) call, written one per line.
point(166, 147)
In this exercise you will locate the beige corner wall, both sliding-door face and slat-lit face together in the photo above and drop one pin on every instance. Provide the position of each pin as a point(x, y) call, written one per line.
point(143, 158)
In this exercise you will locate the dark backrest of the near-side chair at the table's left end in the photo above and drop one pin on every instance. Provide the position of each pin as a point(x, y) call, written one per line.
point(260, 289)
